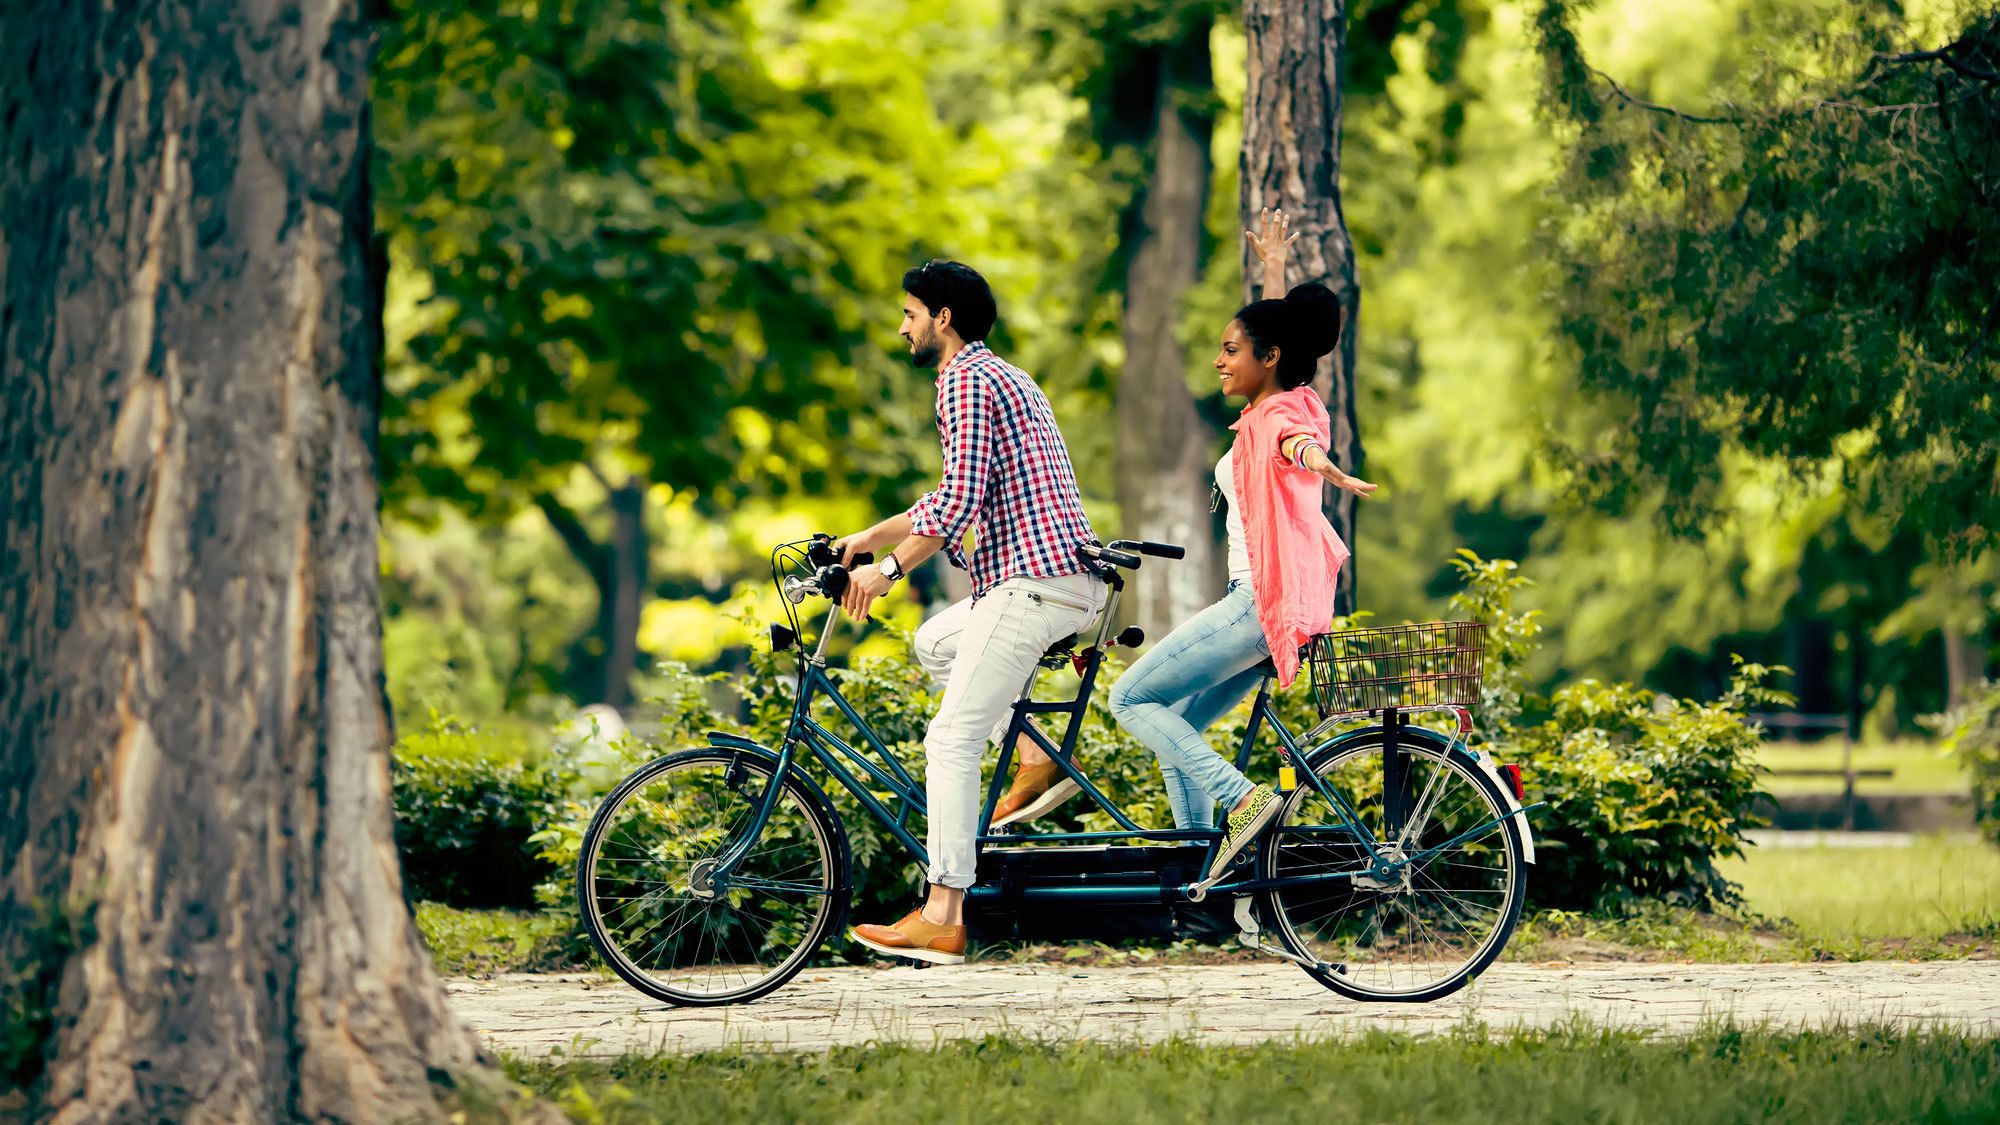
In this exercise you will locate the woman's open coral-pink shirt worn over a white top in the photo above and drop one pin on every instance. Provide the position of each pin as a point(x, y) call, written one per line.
point(1295, 555)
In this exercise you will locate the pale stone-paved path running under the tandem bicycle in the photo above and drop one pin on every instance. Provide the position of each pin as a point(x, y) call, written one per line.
point(1235, 1004)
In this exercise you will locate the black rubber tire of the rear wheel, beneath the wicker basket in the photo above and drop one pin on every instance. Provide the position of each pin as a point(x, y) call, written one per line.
point(1509, 916)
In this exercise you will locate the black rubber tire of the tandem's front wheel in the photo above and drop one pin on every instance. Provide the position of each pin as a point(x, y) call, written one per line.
point(807, 800)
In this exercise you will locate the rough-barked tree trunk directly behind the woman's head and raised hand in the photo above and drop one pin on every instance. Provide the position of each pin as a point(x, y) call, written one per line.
point(1291, 159)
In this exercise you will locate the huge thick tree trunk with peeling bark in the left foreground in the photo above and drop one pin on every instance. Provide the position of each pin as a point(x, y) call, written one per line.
point(193, 728)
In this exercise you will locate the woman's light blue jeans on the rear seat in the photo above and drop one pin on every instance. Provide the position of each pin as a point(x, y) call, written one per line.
point(1175, 692)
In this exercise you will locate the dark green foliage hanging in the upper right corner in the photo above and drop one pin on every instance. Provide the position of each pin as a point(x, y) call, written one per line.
point(1801, 271)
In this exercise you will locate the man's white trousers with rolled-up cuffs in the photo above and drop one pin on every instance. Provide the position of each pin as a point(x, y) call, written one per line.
point(985, 654)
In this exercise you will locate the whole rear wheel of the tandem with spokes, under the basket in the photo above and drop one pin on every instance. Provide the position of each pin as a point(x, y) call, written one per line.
point(1433, 928)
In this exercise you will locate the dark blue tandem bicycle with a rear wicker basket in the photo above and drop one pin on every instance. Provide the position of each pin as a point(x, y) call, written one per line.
point(1395, 872)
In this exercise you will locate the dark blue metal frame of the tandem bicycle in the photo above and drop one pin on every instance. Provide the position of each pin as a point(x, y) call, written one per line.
point(881, 768)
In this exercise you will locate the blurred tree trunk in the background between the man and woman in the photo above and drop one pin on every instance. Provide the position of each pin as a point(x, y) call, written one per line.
point(1167, 453)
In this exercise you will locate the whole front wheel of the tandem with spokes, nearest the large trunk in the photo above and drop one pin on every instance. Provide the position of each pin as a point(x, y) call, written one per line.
point(665, 918)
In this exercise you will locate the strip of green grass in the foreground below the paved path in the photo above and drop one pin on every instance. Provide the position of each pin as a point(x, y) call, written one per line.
point(1571, 1074)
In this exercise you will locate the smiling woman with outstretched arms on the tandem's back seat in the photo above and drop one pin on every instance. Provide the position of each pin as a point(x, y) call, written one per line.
point(1285, 559)
